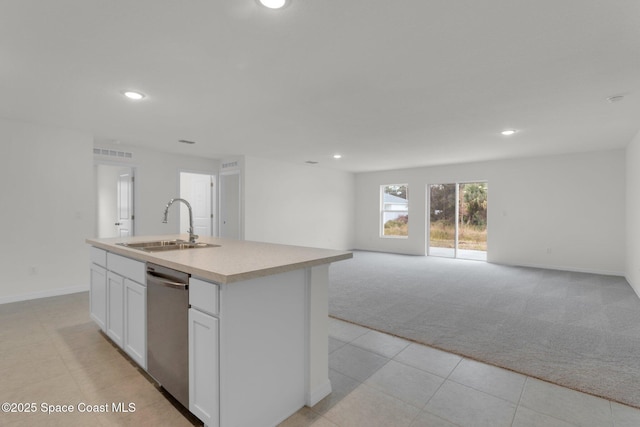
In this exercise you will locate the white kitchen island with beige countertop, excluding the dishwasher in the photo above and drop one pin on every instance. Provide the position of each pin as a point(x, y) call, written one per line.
point(258, 319)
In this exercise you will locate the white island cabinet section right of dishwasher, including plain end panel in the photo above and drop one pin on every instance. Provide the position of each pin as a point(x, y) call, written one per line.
point(247, 339)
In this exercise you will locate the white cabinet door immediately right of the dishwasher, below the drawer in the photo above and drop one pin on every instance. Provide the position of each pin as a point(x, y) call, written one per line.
point(204, 388)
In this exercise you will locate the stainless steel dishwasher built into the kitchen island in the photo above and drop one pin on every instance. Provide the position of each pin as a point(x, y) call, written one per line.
point(168, 330)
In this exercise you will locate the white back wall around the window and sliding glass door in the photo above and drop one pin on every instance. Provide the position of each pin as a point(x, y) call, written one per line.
point(562, 212)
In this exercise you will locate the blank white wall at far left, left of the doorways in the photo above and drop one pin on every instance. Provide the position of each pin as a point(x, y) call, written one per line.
point(46, 182)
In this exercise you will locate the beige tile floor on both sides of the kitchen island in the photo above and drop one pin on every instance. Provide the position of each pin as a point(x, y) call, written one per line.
point(51, 353)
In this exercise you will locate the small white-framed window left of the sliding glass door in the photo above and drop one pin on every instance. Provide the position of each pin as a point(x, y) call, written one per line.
point(395, 210)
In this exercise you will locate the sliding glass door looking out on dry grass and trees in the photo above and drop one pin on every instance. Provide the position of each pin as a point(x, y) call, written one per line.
point(457, 223)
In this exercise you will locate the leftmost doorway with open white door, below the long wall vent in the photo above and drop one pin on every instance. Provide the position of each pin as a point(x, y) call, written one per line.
point(114, 202)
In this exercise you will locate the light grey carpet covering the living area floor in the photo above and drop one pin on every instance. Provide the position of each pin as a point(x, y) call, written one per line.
point(577, 330)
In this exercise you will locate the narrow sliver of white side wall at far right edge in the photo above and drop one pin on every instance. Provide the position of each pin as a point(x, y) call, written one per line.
point(632, 271)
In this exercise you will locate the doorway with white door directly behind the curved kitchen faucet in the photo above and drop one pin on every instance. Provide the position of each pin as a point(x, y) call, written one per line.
point(198, 189)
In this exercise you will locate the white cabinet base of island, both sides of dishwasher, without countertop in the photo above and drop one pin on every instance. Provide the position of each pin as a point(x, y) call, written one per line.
point(246, 339)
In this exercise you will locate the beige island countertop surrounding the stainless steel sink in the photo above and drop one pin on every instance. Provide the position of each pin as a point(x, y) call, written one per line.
point(232, 261)
